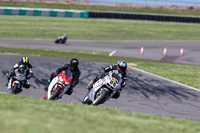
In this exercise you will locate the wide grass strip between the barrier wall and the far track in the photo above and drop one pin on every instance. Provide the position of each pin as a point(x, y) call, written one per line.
point(32, 27)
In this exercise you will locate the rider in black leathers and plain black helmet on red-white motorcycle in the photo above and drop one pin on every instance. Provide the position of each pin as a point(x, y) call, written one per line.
point(73, 67)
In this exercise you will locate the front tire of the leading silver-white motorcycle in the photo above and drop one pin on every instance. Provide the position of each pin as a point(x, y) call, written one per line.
point(101, 98)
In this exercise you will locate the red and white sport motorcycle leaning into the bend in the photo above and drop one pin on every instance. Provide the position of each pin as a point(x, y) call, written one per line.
point(59, 85)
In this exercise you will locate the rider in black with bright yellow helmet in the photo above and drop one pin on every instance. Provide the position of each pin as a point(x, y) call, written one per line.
point(24, 62)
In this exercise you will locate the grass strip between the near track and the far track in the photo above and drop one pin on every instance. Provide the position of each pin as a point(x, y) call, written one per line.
point(186, 74)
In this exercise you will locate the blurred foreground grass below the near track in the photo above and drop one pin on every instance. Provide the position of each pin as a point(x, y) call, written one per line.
point(27, 114)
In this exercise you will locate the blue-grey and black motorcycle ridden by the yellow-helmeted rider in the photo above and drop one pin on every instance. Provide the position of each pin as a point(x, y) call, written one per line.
point(17, 81)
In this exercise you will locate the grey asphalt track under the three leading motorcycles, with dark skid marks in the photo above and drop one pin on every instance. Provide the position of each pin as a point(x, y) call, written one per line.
point(144, 93)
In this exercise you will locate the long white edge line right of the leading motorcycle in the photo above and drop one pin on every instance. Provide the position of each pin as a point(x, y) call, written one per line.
point(165, 78)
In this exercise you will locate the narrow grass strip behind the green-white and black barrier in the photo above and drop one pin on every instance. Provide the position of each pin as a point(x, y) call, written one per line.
point(102, 8)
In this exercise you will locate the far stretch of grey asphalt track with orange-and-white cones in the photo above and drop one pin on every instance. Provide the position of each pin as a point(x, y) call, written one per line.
point(152, 49)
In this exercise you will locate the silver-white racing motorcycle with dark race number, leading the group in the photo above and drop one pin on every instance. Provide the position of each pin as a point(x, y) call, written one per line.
point(103, 89)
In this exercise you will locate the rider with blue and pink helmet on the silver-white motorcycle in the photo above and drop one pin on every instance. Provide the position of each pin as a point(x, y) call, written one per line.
point(120, 69)
